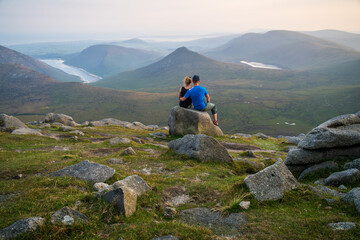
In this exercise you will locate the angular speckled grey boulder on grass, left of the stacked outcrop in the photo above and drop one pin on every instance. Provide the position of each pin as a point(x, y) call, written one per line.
point(272, 182)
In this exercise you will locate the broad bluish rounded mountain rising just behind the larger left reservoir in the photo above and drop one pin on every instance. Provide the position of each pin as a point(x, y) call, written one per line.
point(107, 60)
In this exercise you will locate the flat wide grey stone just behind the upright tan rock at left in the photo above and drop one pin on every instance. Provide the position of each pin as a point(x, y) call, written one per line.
point(86, 170)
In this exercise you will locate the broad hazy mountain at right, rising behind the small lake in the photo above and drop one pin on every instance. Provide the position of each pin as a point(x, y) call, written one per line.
point(285, 49)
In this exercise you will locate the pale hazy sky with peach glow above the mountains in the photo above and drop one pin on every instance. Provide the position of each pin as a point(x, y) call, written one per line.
point(49, 20)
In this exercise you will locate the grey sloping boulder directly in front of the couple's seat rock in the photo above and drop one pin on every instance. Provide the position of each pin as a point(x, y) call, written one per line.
point(201, 147)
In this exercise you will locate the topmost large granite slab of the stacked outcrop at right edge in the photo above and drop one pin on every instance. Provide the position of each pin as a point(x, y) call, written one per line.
point(340, 131)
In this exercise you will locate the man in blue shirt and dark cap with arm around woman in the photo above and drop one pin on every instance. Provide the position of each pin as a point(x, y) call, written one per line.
point(197, 94)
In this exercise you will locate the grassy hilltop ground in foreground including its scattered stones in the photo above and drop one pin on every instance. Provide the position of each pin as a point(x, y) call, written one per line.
point(47, 184)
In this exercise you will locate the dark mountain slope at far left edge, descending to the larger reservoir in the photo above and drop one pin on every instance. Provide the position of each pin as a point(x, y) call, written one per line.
point(10, 56)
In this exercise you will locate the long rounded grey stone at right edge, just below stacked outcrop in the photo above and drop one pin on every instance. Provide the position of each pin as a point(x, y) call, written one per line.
point(344, 177)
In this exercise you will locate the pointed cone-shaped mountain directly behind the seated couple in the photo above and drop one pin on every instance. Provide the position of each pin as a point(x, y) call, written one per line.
point(171, 70)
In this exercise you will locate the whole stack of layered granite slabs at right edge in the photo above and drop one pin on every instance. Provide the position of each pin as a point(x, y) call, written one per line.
point(335, 139)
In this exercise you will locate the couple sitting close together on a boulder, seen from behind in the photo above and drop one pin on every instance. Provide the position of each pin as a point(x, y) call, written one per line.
point(195, 95)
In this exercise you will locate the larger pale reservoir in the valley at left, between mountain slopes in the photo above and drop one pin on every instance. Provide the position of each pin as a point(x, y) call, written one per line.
point(84, 75)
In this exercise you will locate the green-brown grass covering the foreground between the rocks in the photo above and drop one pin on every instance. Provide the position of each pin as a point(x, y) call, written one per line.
point(299, 215)
